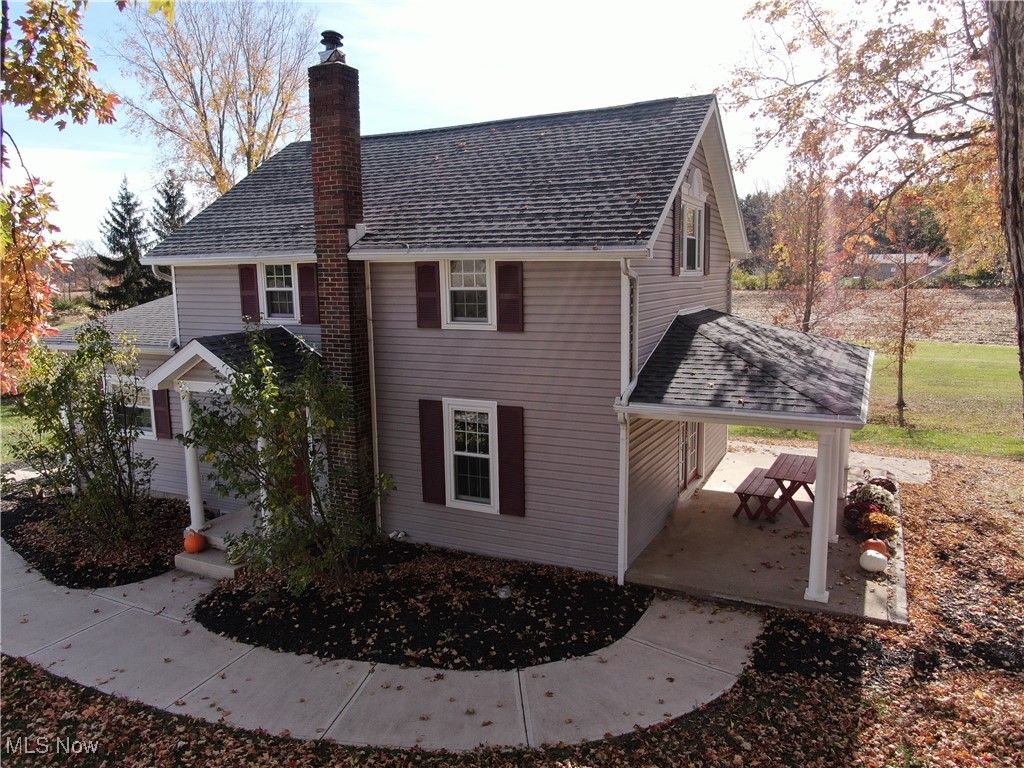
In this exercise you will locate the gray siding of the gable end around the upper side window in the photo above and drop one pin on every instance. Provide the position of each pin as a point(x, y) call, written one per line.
point(662, 294)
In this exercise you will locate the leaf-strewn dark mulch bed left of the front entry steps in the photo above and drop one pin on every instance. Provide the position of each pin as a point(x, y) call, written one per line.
point(33, 527)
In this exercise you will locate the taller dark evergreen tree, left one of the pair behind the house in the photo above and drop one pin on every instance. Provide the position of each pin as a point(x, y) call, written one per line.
point(126, 238)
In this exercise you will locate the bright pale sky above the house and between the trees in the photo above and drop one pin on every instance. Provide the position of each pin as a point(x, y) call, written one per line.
point(426, 64)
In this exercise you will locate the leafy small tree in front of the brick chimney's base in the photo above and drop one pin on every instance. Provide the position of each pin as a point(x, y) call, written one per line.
point(266, 435)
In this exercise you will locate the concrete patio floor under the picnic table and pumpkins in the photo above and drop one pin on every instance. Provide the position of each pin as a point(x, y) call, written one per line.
point(706, 552)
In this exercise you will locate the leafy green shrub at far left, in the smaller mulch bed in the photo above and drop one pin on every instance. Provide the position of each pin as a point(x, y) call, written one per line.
point(86, 410)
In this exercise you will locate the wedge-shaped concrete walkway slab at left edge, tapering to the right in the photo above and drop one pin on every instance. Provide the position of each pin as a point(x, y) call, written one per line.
point(39, 615)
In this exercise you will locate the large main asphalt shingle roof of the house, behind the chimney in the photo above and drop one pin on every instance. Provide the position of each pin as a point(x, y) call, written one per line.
point(582, 180)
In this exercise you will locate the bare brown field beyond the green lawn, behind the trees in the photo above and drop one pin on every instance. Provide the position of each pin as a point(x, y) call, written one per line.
point(973, 317)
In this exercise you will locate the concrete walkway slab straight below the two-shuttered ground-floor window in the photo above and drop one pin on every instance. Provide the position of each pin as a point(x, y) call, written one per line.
point(434, 710)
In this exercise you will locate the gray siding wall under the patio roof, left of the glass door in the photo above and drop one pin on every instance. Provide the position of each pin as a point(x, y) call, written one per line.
point(654, 480)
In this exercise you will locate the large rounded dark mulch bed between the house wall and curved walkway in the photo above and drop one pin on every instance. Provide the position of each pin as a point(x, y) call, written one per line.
point(419, 606)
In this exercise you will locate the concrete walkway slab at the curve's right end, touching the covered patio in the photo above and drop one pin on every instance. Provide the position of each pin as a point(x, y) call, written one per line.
point(714, 635)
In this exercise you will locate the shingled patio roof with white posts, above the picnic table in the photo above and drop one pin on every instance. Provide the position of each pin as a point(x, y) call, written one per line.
point(716, 368)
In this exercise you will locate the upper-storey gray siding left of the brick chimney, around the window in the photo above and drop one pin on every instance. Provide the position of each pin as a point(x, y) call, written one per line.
point(208, 303)
